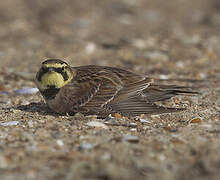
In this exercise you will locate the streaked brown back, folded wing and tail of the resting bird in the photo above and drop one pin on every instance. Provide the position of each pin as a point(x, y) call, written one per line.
point(101, 91)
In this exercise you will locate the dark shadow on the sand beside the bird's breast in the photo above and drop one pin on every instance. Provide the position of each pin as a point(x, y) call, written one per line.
point(40, 108)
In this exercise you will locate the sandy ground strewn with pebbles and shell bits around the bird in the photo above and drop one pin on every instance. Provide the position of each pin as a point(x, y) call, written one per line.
point(176, 39)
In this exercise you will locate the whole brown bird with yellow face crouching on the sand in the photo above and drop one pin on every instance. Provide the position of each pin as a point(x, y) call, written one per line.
point(102, 90)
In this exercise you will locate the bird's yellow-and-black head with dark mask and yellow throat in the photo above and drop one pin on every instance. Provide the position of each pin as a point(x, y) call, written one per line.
point(53, 74)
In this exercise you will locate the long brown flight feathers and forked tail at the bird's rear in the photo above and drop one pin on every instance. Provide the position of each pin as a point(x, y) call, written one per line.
point(143, 103)
